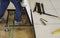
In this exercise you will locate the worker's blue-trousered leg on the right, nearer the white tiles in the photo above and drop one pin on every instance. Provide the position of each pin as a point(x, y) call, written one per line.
point(18, 7)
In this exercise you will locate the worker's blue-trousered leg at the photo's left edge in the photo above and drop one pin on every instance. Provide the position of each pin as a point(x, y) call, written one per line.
point(3, 6)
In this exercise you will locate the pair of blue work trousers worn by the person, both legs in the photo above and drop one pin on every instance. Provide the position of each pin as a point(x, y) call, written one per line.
point(4, 4)
